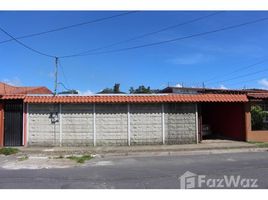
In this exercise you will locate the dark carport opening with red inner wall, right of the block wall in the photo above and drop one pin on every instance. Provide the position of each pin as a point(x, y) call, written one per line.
point(222, 121)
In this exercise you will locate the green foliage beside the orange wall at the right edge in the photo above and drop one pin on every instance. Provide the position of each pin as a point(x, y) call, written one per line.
point(257, 116)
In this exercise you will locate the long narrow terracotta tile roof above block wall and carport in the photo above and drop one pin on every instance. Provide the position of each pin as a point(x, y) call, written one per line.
point(138, 98)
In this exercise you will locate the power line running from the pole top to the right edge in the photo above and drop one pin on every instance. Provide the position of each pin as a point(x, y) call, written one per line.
point(171, 40)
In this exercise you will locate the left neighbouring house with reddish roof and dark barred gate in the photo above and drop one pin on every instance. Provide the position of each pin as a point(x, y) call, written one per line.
point(12, 112)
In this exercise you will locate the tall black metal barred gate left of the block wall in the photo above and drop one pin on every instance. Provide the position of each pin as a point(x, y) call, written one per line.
point(13, 124)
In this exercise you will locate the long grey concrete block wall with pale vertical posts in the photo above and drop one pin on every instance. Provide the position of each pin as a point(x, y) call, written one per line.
point(111, 124)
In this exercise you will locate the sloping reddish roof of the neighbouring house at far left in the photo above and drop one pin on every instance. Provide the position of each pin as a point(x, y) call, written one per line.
point(6, 89)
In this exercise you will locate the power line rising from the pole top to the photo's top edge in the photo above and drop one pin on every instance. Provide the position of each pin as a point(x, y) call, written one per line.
point(150, 33)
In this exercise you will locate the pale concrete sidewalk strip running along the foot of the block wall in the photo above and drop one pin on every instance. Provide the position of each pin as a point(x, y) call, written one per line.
point(209, 146)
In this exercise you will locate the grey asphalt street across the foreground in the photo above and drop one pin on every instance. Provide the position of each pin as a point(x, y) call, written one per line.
point(250, 170)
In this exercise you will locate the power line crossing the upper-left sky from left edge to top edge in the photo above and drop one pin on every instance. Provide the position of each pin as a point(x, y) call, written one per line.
point(68, 27)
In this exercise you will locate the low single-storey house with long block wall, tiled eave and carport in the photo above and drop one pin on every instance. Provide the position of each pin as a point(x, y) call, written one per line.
point(174, 116)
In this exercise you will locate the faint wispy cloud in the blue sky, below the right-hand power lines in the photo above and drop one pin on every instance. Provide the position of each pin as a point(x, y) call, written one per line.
point(190, 59)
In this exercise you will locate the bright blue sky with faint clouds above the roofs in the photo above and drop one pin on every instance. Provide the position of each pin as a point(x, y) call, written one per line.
point(217, 60)
